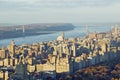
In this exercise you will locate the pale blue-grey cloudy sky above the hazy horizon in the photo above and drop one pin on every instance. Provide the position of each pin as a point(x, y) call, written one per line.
point(59, 11)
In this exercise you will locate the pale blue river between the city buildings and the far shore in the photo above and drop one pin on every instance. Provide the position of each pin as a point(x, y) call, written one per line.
point(79, 31)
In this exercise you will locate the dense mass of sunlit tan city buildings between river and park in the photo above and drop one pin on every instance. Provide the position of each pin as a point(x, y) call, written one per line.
point(48, 59)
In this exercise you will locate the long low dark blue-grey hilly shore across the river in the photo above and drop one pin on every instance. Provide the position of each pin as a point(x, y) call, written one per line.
point(33, 29)
